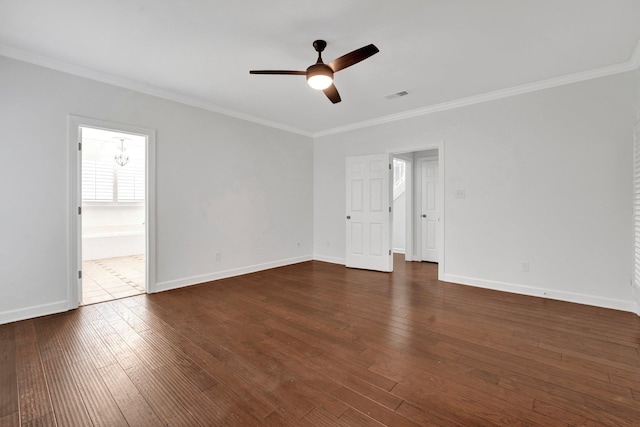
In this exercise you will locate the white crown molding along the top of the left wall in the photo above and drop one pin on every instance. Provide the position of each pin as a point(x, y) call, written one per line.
point(47, 62)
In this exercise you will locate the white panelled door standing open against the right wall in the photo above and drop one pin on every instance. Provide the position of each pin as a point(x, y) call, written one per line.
point(368, 216)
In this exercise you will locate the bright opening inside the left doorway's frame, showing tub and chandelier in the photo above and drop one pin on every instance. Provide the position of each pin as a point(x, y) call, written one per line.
point(113, 211)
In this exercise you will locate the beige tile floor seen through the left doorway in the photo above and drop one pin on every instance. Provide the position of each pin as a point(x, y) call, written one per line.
point(112, 278)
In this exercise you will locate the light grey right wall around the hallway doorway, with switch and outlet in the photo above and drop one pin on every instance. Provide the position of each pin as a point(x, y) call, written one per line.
point(547, 177)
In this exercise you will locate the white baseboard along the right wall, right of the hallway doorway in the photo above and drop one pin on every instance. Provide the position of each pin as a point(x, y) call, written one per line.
point(585, 299)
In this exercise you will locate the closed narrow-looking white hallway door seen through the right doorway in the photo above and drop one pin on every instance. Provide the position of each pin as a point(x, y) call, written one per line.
point(430, 214)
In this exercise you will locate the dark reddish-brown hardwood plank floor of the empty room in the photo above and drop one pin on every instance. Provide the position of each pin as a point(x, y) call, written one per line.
point(320, 345)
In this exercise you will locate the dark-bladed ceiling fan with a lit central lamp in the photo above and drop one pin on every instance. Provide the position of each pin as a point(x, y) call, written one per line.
point(320, 75)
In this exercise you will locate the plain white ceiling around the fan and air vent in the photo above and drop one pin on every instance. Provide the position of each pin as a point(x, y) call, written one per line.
point(440, 51)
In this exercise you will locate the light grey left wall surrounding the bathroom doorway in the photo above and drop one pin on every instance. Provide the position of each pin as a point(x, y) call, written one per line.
point(223, 186)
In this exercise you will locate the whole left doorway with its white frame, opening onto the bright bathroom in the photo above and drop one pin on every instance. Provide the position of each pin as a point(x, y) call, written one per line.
point(111, 211)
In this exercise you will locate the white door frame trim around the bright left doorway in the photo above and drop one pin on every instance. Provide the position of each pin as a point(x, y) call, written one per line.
point(75, 201)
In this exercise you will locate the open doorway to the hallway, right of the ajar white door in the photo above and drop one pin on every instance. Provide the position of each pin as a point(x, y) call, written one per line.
point(418, 205)
